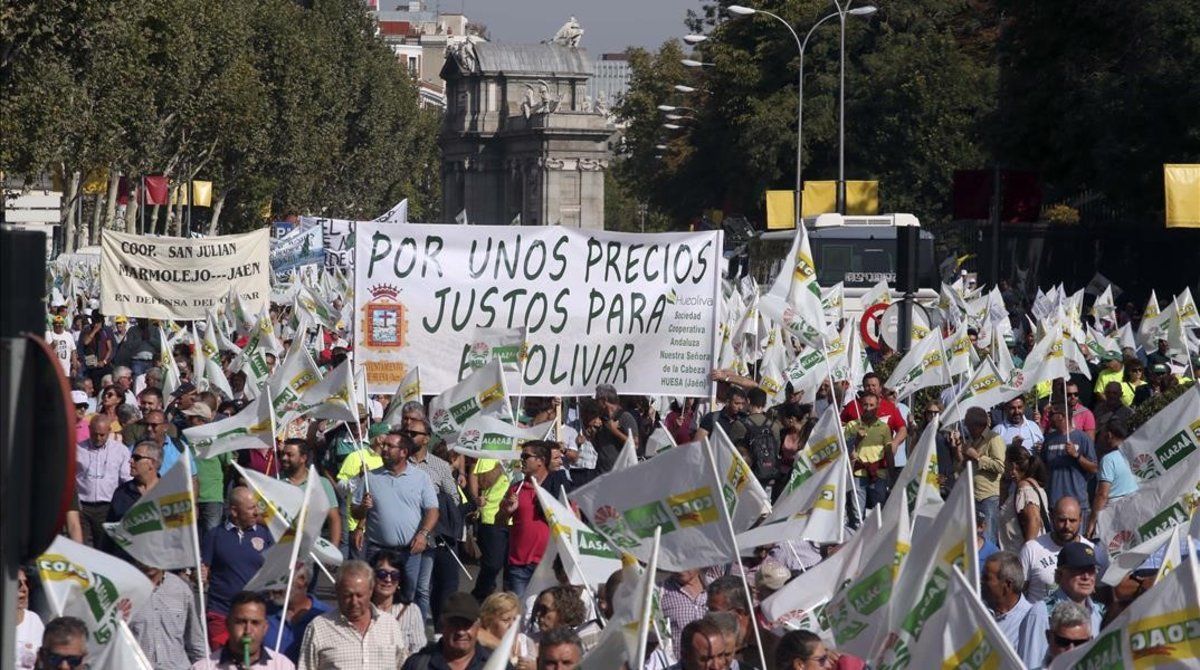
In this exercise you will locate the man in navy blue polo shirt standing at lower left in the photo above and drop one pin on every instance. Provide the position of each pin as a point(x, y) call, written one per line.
point(231, 557)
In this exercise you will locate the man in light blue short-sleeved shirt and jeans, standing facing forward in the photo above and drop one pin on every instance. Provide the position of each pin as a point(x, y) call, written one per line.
point(400, 507)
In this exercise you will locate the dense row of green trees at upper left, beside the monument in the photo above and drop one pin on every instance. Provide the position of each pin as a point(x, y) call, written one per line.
point(286, 107)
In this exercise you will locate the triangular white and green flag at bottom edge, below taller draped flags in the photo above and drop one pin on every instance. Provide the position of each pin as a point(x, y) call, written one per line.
point(963, 635)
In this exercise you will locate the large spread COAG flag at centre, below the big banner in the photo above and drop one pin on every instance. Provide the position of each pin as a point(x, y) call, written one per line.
point(676, 492)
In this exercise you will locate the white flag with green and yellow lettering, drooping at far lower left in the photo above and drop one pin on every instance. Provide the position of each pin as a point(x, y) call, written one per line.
point(93, 587)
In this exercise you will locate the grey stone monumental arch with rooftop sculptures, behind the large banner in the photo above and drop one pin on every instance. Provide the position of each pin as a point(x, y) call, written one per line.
point(520, 140)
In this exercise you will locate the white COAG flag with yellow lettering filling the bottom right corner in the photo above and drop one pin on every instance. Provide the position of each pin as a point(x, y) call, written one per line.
point(1160, 630)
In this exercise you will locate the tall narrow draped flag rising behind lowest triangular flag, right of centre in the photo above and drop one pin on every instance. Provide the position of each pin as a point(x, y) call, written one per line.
point(925, 581)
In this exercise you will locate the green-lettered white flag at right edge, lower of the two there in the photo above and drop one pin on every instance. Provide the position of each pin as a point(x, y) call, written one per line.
point(1155, 509)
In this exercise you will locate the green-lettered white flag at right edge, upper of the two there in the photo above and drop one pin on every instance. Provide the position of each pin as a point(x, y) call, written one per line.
point(1168, 439)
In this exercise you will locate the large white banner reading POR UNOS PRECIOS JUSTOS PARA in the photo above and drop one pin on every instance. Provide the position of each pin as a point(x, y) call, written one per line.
point(634, 310)
